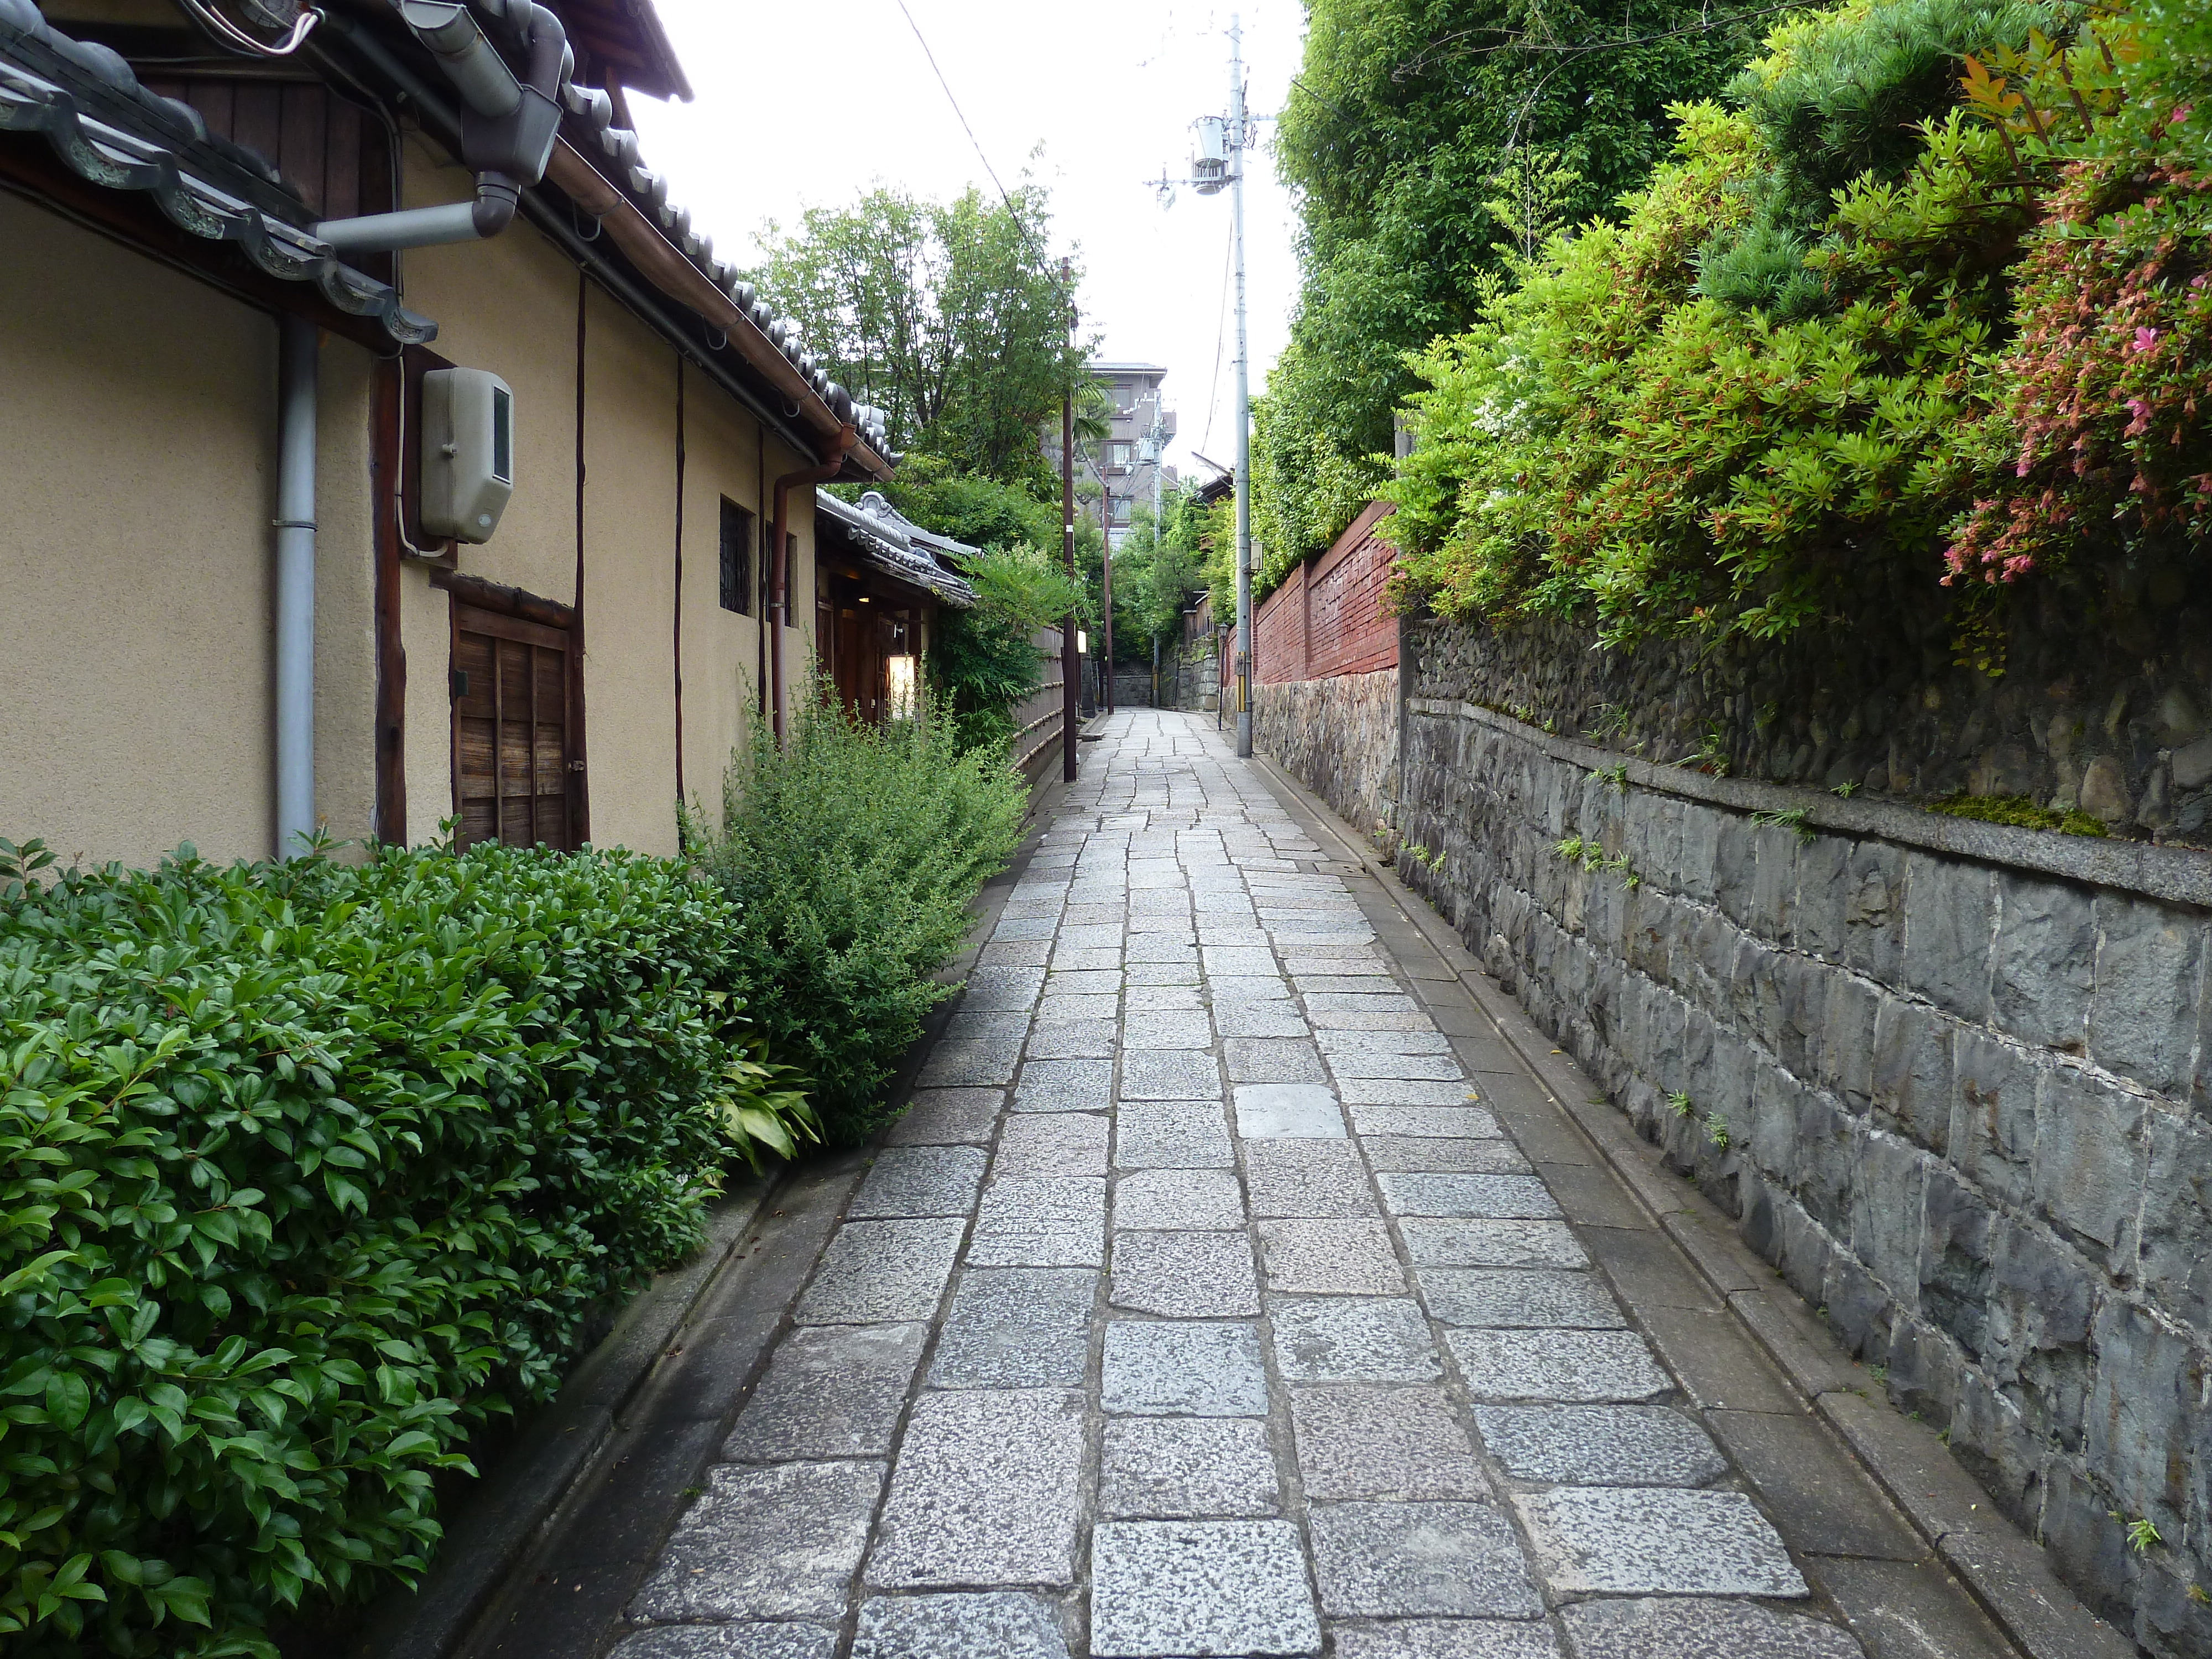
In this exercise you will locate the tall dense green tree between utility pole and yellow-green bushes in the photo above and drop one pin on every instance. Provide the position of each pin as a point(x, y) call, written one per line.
point(1434, 145)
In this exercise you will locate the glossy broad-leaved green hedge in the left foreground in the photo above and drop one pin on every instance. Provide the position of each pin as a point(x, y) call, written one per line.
point(309, 1173)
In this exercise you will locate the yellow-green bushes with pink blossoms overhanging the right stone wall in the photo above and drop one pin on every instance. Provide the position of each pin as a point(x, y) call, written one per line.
point(1990, 348)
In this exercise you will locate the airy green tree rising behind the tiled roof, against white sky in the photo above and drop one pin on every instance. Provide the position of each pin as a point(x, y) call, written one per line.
point(946, 315)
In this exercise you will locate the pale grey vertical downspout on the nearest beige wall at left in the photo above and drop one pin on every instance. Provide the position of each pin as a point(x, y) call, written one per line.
point(298, 359)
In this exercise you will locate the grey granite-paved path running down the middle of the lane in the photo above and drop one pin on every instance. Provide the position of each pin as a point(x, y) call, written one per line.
point(1202, 1306)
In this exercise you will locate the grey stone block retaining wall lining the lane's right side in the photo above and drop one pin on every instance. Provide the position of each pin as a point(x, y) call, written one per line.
point(1954, 1081)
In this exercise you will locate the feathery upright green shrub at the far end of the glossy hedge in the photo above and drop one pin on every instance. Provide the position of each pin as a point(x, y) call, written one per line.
point(853, 855)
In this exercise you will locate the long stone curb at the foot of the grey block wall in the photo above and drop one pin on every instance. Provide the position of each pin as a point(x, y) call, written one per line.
point(2007, 1574)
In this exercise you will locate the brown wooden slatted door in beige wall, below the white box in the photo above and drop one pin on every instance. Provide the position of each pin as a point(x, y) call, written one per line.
point(514, 766)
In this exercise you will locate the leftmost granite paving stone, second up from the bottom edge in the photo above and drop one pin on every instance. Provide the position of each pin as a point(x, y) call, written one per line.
point(766, 1543)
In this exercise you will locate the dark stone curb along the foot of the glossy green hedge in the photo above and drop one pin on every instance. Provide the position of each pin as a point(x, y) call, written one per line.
point(512, 1510)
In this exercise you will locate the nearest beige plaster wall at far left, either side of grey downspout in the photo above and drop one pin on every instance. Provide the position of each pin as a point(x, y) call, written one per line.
point(136, 556)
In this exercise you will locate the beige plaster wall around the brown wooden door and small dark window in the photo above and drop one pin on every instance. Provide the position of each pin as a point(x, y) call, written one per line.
point(512, 306)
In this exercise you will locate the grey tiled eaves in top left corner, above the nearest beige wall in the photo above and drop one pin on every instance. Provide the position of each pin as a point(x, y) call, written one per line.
point(114, 134)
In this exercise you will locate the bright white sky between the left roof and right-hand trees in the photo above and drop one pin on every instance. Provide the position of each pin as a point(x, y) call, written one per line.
point(806, 105)
